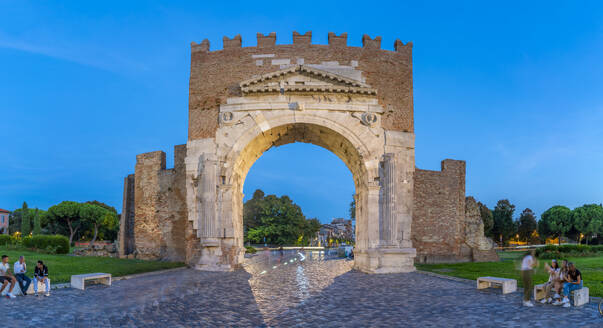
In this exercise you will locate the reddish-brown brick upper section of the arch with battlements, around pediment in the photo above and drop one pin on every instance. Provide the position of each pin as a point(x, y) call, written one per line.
point(215, 75)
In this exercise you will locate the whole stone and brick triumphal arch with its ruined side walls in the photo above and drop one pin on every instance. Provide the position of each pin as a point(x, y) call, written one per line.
point(353, 101)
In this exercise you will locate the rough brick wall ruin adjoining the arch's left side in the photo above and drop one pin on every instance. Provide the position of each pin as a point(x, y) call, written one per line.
point(160, 215)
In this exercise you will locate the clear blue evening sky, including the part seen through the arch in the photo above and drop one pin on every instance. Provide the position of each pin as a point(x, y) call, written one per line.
point(513, 88)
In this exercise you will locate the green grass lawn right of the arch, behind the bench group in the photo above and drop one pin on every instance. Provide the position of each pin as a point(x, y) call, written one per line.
point(508, 267)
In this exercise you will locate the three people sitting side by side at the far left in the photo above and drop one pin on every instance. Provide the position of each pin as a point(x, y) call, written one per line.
point(19, 275)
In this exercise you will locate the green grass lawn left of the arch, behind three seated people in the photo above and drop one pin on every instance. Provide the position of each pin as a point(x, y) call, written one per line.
point(61, 267)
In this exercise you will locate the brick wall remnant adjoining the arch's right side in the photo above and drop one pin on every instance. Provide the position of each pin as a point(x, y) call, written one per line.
point(438, 213)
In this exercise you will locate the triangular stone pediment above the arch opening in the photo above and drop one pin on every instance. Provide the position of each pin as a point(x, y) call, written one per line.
point(303, 79)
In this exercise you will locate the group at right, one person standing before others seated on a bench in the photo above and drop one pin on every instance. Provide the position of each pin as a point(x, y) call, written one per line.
point(562, 280)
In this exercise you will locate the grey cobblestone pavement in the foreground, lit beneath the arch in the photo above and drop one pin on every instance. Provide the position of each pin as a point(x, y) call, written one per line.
point(292, 290)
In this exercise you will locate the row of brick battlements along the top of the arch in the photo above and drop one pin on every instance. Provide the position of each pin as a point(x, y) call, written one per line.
point(301, 40)
